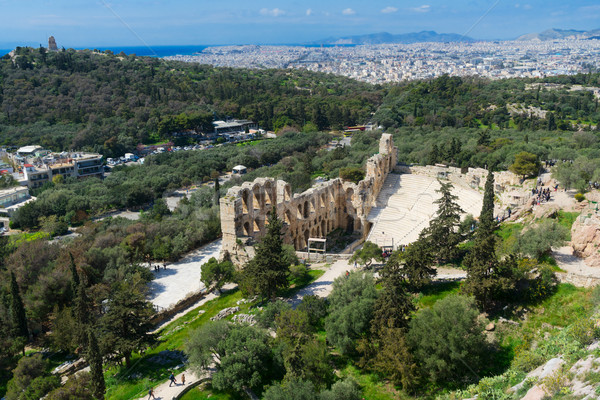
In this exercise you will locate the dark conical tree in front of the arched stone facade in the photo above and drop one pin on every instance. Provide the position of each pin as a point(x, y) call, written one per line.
point(267, 272)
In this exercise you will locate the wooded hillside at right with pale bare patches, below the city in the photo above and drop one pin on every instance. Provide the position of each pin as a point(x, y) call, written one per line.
point(556, 103)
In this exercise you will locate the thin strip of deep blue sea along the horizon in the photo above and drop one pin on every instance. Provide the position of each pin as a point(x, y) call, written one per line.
point(165, 51)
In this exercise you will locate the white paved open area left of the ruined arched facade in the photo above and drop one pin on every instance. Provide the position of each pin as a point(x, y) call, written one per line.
point(181, 278)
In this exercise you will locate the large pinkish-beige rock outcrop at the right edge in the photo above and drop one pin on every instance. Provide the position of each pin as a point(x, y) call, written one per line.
point(585, 238)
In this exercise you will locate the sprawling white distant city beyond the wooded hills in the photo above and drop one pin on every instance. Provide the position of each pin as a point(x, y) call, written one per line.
point(400, 62)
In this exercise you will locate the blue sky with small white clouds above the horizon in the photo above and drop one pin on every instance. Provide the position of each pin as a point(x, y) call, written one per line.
point(83, 23)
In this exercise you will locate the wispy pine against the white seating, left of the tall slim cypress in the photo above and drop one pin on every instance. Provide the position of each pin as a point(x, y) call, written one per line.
point(443, 229)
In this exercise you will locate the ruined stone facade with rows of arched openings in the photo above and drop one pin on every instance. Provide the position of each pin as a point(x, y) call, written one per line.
point(310, 214)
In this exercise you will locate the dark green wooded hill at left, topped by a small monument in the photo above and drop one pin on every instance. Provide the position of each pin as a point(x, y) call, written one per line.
point(109, 103)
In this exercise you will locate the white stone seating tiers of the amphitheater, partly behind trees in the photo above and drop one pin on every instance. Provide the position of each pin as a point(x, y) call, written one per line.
point(405, 205)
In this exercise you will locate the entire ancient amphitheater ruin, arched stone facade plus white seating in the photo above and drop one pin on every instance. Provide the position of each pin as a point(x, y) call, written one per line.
point(390, 207)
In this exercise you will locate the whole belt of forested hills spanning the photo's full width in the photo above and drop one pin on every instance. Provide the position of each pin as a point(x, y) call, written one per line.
point(109, 103)
